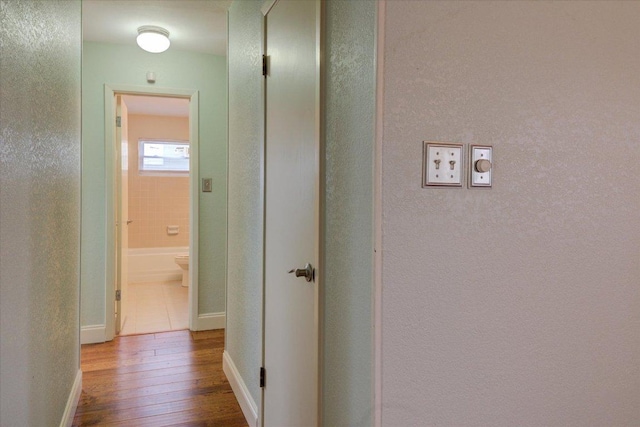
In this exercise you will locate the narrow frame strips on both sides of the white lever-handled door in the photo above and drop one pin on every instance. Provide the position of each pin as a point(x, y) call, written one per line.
point(267, 6)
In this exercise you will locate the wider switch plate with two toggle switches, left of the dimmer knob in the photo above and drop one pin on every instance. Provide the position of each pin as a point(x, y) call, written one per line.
point(442, 164)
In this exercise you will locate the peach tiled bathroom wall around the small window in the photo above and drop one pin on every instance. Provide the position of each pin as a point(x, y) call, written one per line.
point(156, 201)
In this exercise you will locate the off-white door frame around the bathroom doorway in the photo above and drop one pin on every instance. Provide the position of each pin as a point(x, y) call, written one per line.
point(110, 90)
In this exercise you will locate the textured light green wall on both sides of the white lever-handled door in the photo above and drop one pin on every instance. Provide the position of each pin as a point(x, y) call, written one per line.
point(348, 218)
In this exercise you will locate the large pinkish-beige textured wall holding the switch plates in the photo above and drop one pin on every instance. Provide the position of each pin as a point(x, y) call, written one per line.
point(518, 305)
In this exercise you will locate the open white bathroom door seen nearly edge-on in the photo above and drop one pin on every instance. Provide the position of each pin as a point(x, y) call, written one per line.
point(122, 212)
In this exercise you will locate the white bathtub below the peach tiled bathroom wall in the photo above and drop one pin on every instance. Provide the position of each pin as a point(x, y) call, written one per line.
point(154, 264)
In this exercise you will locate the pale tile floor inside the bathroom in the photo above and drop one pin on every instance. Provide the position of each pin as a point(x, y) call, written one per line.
point(156, 307)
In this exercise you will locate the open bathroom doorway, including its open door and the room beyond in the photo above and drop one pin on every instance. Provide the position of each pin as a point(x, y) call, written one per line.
point(154, 202)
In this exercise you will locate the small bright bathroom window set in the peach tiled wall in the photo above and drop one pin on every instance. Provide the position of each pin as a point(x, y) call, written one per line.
point(163, 157)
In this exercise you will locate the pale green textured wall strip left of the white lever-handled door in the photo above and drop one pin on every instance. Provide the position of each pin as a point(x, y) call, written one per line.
point(244, 287)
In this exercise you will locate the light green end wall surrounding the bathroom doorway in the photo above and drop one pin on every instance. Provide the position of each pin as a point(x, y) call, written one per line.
point(127, 65)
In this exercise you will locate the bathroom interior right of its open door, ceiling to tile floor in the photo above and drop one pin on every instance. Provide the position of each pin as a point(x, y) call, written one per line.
point(157, 162)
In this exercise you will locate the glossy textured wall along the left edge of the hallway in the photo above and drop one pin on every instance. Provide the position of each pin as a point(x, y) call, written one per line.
point(39, 209)
